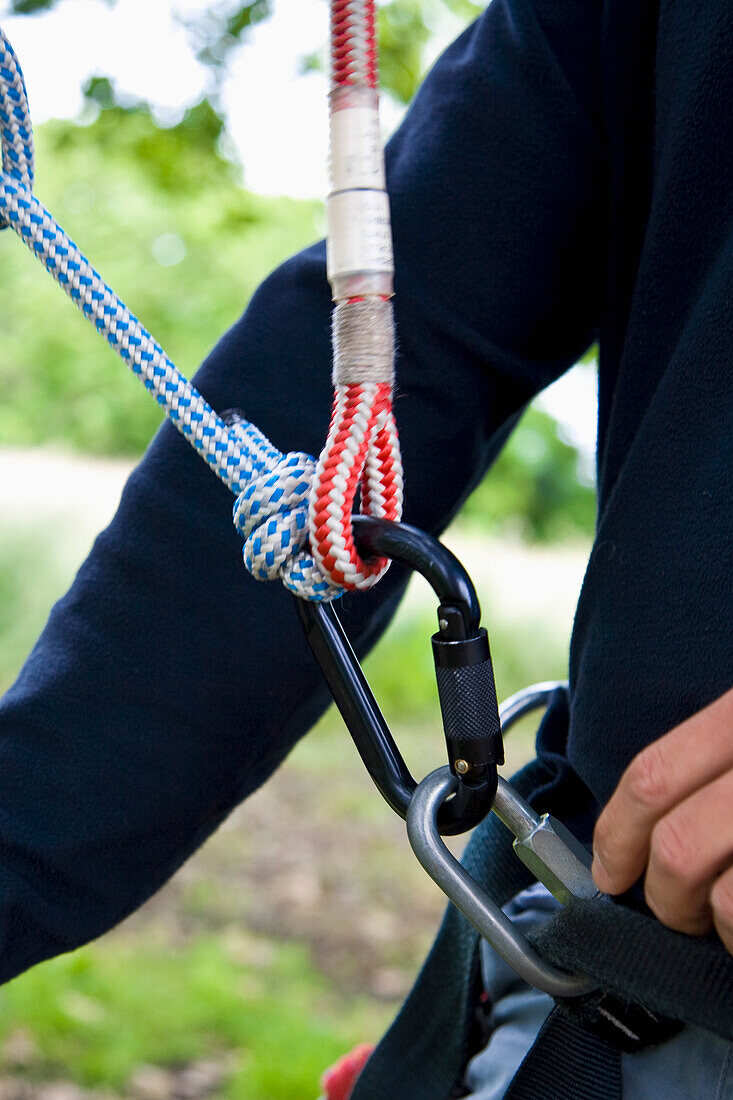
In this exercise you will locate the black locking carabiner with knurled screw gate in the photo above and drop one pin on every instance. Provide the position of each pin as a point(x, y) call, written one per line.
point(464, 670)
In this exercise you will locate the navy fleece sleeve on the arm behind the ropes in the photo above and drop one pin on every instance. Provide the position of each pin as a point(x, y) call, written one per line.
point(169, 685)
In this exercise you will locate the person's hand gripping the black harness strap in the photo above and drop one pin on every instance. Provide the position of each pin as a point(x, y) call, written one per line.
point(673, 815)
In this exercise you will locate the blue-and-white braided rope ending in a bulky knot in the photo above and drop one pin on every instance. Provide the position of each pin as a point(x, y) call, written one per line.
point(272, 489)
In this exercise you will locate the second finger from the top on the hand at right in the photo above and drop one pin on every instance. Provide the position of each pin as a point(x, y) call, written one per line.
point(691, 848)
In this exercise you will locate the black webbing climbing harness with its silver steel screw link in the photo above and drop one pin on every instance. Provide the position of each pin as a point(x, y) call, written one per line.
point(643, 981)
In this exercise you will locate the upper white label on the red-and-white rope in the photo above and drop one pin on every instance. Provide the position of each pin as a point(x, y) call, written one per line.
point(356, 149)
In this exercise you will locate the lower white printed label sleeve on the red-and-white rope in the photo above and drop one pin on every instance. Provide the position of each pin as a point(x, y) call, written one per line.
point(359, 237)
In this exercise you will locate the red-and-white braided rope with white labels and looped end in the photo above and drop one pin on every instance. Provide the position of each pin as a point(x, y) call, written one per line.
point(362, 455)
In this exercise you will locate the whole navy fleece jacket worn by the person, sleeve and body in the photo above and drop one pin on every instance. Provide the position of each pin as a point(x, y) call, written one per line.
point(565, 174)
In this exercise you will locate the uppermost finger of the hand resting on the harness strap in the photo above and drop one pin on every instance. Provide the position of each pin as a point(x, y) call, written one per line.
point(668, 772)
